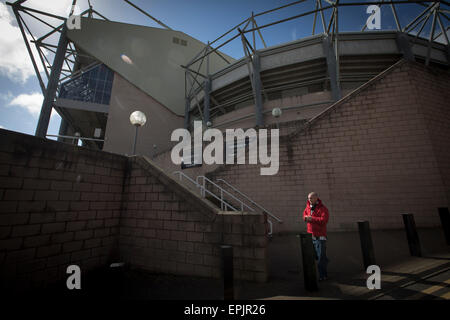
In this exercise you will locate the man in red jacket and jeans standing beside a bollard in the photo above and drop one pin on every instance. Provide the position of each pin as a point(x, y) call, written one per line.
point(316, 215)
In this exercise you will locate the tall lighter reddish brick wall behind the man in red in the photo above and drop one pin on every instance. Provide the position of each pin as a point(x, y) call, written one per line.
point(381, 152)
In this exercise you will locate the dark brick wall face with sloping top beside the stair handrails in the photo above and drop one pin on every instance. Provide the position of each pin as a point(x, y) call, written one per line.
point(164, 228)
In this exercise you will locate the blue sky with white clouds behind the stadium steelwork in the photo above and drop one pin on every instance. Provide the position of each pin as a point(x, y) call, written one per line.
point(20, 94)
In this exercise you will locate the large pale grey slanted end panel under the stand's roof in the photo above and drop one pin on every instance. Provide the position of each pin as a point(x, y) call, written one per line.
point(150, 58)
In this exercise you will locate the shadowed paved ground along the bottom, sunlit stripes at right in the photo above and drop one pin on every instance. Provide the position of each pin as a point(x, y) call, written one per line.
point(414, 278)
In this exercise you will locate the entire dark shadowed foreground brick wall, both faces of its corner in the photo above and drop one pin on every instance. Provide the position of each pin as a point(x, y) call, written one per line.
point(62, 204)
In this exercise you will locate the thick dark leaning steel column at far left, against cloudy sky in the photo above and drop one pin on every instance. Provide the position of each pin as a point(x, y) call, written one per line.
point(50, 93)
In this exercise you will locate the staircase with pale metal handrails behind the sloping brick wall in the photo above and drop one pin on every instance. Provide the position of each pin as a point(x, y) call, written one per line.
point(226, 196)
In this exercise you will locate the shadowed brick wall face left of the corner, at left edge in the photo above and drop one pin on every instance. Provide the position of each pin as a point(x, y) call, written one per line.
point(60, 205)
